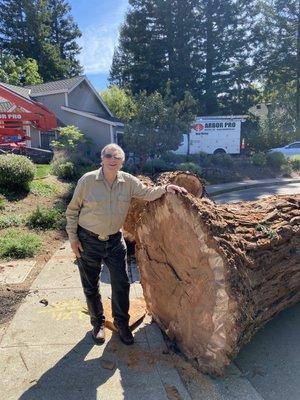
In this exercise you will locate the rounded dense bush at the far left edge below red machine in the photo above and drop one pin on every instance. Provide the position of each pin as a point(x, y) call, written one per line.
point(16, 172)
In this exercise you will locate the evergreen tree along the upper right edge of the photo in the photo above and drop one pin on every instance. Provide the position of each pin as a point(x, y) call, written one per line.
point(278, 56)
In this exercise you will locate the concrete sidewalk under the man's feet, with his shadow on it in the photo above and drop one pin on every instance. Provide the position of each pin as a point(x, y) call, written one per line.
point(47, 351)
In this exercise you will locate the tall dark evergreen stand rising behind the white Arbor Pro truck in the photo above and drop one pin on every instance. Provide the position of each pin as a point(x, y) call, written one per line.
point(205, 46)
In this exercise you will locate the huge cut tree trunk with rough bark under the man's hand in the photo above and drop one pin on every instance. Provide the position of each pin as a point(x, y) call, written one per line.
point(212, 275)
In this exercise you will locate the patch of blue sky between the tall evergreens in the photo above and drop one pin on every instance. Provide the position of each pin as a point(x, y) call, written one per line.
point(99, 22)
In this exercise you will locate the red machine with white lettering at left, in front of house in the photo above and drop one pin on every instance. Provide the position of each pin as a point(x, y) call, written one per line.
point(19, 113)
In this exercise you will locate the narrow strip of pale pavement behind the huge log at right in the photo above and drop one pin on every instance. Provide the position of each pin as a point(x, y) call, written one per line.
point(214, 190)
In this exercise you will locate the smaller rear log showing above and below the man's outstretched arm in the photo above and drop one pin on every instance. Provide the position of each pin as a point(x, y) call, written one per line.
point(188, 180)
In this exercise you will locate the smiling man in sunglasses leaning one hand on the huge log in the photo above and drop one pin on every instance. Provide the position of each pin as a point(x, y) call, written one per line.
point(95, 217)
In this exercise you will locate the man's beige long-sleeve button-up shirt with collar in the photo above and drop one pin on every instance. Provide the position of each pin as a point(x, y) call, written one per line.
point(102, 209)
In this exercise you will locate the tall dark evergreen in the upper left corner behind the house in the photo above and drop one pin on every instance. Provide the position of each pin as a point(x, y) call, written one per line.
point(26, 32)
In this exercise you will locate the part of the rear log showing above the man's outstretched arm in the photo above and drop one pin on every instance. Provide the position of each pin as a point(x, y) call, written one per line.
point(191, 182)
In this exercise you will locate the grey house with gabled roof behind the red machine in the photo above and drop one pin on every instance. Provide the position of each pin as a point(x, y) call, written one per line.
point(74, 101)
